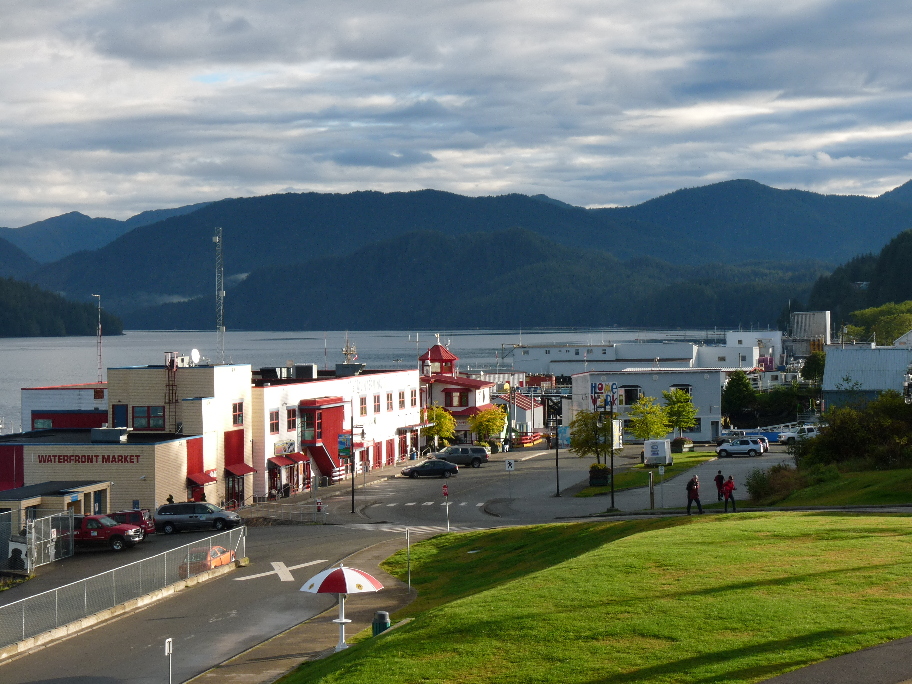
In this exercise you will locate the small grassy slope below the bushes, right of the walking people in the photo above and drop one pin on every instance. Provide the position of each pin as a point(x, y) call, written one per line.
point(874, 487)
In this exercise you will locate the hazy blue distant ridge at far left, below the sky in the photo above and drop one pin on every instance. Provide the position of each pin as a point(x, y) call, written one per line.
point(54, 238)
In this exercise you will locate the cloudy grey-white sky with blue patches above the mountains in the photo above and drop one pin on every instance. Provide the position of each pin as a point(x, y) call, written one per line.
point(111, 108)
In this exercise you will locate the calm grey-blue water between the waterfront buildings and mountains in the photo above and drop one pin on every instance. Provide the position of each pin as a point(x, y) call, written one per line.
point(42, 361)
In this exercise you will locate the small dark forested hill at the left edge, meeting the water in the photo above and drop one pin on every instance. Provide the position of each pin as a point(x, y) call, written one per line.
point(28, 311)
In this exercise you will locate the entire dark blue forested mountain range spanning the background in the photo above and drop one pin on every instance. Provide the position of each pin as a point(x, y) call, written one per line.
point(728, 253)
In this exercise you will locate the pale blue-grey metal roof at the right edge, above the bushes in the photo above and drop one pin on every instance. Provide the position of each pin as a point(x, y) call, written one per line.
point(862, 368)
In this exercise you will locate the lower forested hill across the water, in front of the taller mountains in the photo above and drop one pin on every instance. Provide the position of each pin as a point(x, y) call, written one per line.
point(510, 278)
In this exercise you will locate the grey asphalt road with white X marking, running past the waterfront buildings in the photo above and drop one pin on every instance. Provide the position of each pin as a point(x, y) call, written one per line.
point(220, 618)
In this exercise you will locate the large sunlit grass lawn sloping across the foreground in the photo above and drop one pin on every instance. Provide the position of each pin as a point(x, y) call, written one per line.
point(704, 599)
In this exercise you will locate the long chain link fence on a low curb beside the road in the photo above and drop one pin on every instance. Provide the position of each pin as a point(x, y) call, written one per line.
point(32, 616)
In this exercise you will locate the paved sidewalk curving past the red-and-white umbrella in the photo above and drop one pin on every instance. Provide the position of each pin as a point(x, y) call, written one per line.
point(317, 637)
